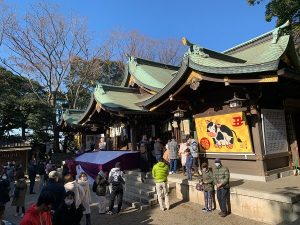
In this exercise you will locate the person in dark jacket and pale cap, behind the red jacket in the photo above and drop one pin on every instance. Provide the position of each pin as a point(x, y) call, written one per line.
point(56, 188)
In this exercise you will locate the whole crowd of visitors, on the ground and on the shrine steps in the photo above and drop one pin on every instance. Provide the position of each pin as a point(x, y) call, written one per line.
point(65, 198)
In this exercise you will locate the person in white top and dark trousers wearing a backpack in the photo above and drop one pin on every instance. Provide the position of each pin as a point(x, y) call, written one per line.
point(116, 179)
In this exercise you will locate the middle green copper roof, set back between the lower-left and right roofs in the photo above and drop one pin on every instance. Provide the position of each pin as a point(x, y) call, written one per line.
point(152, 75)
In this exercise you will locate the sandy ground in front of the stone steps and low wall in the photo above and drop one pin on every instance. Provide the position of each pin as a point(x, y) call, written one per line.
point(180, 213)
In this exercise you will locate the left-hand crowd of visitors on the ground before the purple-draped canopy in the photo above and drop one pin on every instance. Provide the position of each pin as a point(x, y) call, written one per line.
point(64, 198)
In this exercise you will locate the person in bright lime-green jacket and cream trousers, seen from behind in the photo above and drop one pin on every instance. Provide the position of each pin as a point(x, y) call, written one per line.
point(160, 174)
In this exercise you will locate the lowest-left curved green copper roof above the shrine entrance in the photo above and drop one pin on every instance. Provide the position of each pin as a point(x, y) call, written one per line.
point(119, 98)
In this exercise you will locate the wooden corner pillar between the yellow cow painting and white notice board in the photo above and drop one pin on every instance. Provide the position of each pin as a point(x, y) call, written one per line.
point(258, 146)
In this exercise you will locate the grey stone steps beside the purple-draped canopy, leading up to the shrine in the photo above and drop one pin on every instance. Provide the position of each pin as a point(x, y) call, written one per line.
point(140, 195)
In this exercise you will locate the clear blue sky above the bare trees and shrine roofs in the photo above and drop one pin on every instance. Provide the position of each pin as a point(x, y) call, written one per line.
point(214, 24)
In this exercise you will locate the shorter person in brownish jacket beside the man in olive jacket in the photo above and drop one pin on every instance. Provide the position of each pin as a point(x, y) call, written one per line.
point(207, 181)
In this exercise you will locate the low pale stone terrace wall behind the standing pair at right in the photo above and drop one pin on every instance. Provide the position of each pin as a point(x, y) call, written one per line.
point(260, 206)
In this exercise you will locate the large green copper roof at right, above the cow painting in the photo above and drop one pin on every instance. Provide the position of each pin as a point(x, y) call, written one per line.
point(263, 56)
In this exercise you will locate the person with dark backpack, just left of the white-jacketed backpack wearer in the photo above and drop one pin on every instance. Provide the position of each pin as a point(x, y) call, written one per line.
point(101, 186)
